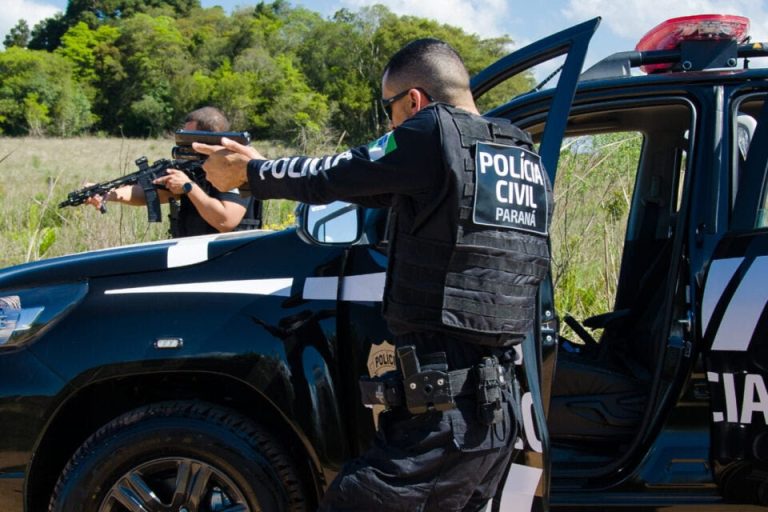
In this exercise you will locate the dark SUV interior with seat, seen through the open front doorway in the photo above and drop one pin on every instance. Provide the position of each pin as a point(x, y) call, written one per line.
point(603, 380)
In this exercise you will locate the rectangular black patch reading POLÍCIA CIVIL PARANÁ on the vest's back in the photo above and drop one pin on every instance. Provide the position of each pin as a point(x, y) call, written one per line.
point(510, 189)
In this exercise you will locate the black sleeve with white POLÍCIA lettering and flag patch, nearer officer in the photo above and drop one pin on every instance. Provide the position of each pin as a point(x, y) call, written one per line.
point(406, 161)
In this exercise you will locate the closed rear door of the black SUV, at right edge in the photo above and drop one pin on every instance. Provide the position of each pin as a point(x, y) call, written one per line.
point(734, 317)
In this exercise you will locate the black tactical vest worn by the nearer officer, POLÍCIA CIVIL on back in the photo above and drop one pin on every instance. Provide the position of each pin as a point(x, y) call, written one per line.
point(449, 269)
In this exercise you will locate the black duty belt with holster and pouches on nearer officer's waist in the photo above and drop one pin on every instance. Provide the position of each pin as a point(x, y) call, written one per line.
point(427, 390)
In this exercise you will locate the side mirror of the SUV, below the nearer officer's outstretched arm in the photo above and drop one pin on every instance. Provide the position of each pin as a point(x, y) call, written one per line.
point(337, 223)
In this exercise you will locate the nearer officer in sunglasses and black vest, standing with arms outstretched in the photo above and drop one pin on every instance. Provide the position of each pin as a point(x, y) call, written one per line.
point(470, 206)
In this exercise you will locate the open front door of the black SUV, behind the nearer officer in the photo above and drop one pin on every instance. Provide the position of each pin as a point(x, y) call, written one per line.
point(526, 484)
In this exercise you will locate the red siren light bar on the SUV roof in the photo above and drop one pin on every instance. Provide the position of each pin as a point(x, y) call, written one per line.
point(702, 27)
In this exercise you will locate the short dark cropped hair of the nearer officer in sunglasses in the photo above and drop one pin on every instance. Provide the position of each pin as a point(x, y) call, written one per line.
point(431, 64)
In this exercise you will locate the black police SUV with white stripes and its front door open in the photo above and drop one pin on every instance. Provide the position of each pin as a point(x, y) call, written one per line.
point(220, 373)
